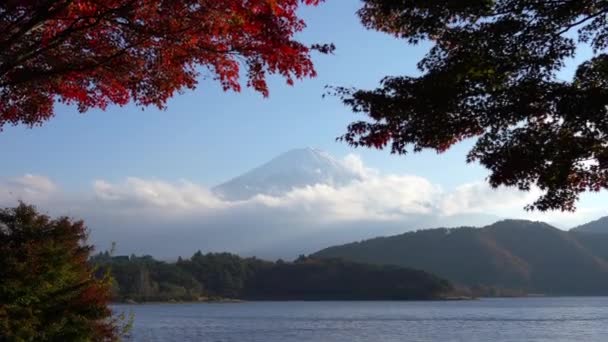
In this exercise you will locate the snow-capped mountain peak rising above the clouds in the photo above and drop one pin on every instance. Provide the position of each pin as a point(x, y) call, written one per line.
point(292, 169)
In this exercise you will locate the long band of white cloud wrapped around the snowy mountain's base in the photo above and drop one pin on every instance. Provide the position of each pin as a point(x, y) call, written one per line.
point(169, 218)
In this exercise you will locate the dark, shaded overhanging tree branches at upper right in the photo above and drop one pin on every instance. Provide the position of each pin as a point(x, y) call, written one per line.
point(492, 75)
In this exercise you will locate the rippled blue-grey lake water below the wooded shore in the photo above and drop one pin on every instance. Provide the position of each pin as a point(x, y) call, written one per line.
point(498, 320)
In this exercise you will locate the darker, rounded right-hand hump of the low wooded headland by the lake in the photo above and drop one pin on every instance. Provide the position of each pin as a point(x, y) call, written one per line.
point(310, 278)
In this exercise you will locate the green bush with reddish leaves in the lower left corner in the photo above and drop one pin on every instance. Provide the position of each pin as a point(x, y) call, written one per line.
point(48, 290)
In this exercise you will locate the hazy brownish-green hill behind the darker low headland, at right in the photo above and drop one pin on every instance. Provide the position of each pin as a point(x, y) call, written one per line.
point(525, 256)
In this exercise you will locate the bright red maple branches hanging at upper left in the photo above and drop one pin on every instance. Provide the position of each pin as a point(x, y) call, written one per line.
point(93, 53)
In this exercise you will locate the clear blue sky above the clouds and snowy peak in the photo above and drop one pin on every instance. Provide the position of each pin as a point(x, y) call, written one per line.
point(207, 136)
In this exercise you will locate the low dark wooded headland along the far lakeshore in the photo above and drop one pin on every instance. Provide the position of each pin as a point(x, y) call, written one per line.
point(230, 276)
